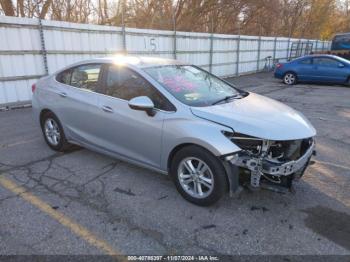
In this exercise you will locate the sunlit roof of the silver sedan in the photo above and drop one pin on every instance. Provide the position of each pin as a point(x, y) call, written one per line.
point(136, 61)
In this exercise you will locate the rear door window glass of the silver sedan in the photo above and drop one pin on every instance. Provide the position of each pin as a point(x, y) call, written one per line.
point(86, 76)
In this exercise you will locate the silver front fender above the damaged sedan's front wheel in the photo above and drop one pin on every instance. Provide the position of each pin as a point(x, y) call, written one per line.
point(199, 132)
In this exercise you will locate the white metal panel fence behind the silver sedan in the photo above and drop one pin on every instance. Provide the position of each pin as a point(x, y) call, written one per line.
point(30, 48)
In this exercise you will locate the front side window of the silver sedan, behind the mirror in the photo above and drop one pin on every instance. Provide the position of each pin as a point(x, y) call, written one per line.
point(125, 84)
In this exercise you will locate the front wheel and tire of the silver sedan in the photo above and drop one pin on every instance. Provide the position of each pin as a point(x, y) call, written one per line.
point(198, 175)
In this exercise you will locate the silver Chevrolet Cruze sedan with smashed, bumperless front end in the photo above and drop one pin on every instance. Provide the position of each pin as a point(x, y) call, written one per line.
point(177, 119)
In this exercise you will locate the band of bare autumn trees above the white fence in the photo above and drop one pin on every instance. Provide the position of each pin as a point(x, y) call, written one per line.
point(291, 18)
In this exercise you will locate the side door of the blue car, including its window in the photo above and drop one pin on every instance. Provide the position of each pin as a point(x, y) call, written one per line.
point(329, 70)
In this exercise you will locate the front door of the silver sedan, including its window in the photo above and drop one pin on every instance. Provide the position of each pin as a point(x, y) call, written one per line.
point(127, 132)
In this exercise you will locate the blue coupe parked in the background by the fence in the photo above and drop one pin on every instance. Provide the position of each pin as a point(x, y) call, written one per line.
point(315, 68)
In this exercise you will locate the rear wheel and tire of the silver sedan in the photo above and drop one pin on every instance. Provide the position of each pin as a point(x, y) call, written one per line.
point(53, 132)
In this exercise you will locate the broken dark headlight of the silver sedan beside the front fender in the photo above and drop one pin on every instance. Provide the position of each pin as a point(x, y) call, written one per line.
point(250, 144)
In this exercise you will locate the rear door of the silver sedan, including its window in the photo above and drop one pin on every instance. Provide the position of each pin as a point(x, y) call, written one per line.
point(77, 101)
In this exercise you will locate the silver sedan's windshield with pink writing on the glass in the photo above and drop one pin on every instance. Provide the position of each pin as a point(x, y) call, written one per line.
point(192, 85)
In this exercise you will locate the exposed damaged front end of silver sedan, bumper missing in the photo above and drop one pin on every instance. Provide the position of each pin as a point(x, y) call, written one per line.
point(270, 164)
